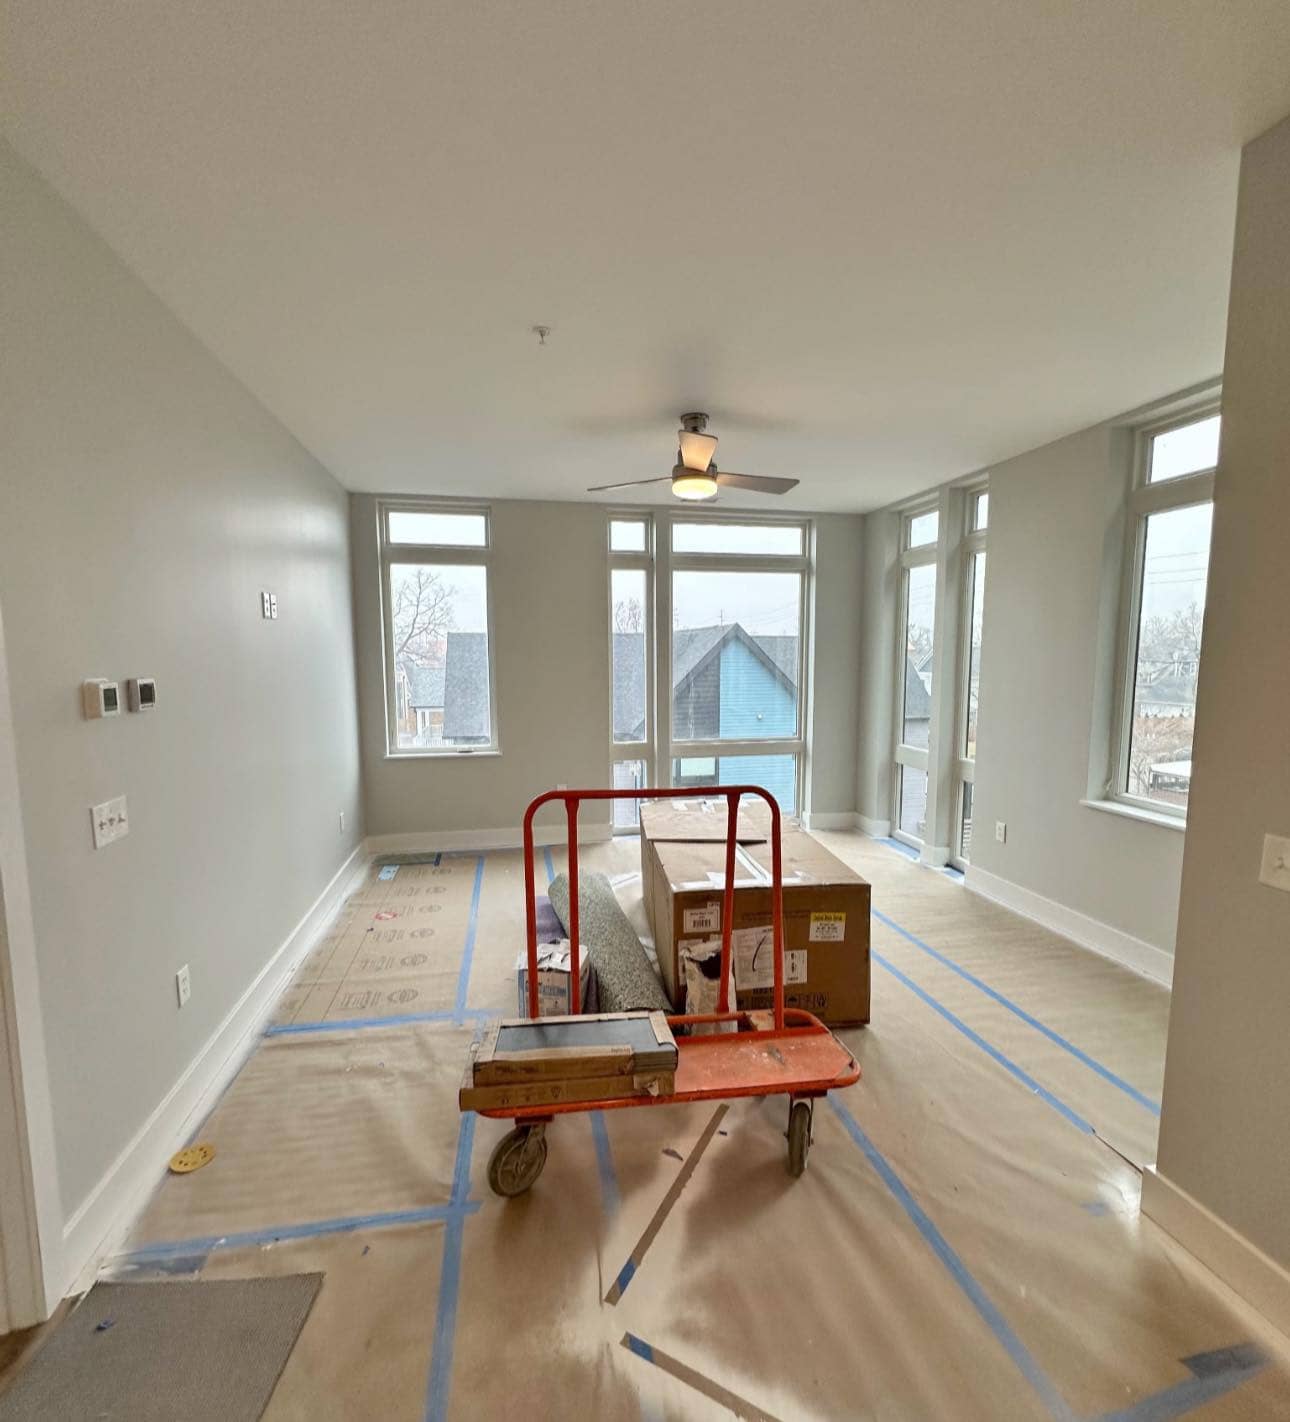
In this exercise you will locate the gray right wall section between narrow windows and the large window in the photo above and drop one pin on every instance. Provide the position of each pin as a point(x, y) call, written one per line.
point(1048, 661)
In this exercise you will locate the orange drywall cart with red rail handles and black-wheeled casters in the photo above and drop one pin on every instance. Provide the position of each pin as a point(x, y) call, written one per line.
point(793, 1056)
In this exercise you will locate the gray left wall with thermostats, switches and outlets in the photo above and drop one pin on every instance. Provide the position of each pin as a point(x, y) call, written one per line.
point(146, 503)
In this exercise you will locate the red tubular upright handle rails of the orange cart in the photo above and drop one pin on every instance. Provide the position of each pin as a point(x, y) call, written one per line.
point(733, 797)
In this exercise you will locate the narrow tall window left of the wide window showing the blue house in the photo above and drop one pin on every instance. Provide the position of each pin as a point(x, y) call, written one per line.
point(632, 661)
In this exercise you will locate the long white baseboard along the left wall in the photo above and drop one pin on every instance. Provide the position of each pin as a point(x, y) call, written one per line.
point(112, 1208)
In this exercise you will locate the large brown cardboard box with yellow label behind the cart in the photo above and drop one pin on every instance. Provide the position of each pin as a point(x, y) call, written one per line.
point(826, 909)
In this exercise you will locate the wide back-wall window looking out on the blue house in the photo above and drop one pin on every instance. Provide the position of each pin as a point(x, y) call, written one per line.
point(737, 655)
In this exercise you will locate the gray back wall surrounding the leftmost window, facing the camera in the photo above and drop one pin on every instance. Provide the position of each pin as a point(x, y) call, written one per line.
point(551, 625)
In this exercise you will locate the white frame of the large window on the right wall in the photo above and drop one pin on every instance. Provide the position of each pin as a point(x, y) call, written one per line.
point(1144, 501)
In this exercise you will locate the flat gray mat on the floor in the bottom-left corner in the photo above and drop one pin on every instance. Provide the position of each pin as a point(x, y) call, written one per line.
point(154, 1353)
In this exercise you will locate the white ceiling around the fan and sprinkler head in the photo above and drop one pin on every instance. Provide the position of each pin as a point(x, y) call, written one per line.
point(883, 244)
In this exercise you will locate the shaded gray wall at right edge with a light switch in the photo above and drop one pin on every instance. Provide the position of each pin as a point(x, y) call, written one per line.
point(1225, 1131)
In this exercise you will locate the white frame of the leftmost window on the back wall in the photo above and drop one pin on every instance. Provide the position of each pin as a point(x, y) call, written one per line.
point(435, 554)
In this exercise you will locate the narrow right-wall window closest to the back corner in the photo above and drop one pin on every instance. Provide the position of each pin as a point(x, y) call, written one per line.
point(915, 673)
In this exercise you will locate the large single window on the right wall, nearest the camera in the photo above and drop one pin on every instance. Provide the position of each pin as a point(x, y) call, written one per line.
point(1168, 565)
